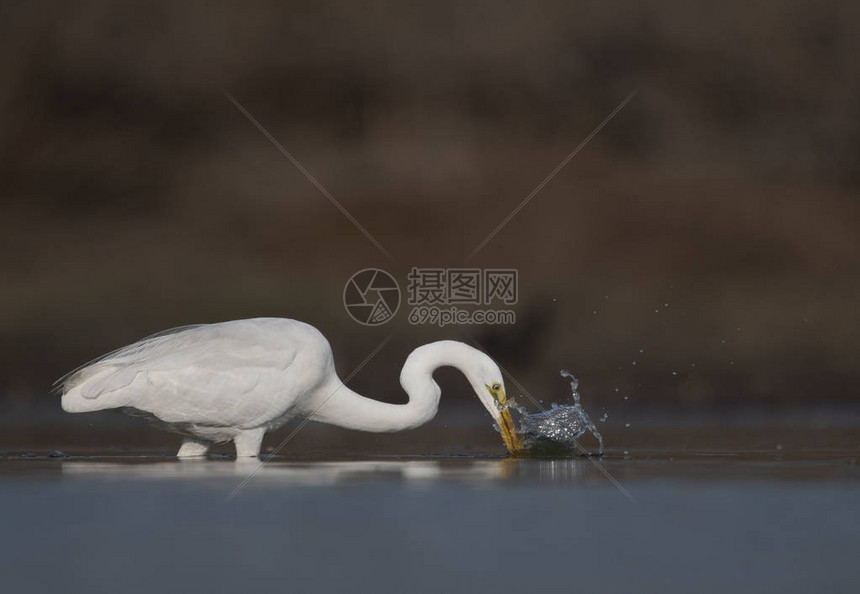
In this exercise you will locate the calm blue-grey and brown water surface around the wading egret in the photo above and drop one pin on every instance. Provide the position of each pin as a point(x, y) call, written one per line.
point(696, 509)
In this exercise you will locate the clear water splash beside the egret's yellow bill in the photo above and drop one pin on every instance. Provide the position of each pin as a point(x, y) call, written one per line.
point(554, 432)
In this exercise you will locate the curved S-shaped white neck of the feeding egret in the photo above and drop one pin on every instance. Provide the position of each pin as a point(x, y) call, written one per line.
point(338, 405)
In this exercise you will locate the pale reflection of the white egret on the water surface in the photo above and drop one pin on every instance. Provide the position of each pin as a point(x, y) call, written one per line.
point(417, 472)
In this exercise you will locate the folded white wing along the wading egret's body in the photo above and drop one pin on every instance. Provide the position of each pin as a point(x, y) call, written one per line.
point(219, 374)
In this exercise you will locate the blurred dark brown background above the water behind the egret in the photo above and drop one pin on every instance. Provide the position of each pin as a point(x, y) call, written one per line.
point(136, 197)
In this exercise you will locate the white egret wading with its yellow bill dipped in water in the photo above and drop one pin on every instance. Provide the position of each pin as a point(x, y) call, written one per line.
point(237, 380)
